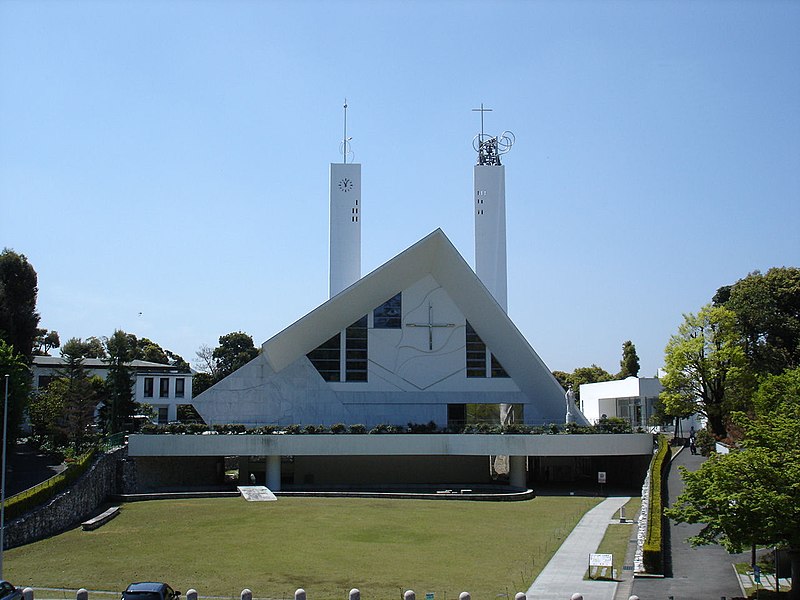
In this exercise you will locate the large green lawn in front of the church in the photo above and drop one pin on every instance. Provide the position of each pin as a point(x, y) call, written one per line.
point(327, 546)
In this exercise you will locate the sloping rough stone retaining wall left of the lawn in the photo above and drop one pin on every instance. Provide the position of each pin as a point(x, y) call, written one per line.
point(74, 505)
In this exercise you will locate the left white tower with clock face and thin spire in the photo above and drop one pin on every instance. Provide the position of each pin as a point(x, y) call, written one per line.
point(345, 219)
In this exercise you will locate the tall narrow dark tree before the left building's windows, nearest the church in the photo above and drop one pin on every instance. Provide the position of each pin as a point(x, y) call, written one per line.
point(118, 405)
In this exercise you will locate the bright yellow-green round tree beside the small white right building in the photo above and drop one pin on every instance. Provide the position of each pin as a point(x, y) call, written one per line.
point(706, 368)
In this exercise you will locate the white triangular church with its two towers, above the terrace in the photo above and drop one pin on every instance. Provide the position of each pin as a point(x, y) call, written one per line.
point(417, 340)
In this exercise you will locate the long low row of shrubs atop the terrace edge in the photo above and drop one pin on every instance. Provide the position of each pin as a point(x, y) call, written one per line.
point(604, 426)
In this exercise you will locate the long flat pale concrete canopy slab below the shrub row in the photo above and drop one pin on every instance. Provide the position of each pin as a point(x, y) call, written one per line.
point(623, 444)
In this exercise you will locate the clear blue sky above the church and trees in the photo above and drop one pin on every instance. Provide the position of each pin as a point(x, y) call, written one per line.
point(171, 158)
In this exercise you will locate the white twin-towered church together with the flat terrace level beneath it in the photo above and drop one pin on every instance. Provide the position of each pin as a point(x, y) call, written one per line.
point(421, 338)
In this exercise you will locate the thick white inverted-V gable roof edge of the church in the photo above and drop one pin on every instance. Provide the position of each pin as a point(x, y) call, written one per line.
point(433, 255)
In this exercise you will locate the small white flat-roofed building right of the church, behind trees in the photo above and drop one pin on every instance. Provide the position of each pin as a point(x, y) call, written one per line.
point(632, 399)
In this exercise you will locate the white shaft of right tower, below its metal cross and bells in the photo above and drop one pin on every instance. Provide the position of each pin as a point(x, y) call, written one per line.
point(490, 230)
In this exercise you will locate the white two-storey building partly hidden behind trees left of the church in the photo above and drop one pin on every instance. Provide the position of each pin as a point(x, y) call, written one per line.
point(164, 387)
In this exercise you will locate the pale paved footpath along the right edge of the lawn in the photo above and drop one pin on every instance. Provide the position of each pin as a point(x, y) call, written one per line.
point(563, 575)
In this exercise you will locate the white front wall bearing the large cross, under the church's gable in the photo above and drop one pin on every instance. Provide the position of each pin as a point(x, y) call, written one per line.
point(413, 374)
